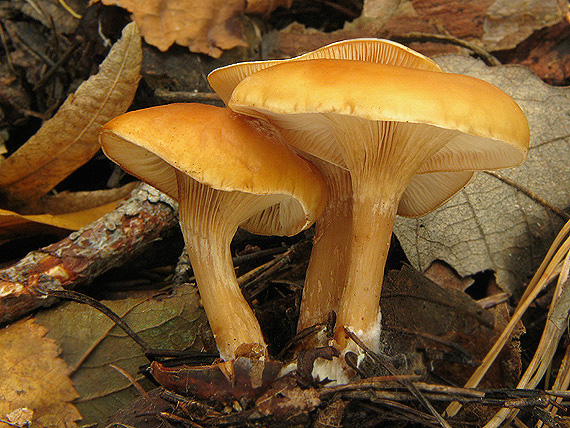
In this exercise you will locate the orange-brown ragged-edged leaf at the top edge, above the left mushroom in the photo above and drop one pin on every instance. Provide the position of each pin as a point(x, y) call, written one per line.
point(205, 27)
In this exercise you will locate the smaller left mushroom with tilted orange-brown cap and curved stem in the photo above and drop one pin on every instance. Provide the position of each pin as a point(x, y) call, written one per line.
point(225, 170)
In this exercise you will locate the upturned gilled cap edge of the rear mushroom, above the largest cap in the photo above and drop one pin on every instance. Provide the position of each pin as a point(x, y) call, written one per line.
point(224, 79)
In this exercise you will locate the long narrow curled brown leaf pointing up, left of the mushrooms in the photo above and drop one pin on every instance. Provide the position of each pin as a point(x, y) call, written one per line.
point(69, 139)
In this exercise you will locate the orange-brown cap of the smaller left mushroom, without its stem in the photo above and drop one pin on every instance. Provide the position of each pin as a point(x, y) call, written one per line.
point(221, 149)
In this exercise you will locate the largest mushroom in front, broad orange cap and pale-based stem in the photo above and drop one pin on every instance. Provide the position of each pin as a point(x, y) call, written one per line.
point(410, 139)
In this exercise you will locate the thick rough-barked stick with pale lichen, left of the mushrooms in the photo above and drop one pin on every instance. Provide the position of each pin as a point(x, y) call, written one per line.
point(147, 216)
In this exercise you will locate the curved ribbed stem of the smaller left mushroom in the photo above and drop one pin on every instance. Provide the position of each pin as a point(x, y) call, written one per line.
point(209, 220)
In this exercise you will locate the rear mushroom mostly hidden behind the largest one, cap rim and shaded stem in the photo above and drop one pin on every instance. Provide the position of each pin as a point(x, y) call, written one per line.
point(325, 278)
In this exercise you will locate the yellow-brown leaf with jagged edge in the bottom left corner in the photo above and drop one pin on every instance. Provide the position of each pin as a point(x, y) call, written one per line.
point(34, 377)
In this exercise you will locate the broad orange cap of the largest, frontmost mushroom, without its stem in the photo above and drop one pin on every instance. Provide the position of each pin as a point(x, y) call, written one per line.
point(491, 129)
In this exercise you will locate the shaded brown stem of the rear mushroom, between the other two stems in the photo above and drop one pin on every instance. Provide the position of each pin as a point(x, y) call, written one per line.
point(325, 278)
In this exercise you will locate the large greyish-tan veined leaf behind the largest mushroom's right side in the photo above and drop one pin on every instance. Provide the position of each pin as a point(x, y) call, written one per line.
point(490, 224)
